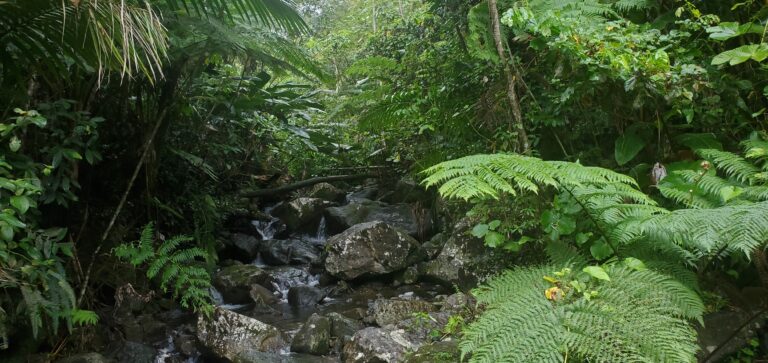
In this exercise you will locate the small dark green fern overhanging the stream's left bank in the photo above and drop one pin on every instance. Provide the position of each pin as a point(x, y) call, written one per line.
point(178, 269)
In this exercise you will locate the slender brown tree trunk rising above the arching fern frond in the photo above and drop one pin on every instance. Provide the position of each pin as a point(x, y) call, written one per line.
point(514, 101)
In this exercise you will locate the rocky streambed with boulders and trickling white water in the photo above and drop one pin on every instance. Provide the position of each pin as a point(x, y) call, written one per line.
point(325, 276)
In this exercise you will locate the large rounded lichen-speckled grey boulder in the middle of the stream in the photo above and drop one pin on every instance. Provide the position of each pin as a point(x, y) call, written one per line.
point(373, 248)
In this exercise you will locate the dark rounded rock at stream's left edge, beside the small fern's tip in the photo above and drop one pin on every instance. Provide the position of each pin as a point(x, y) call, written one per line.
point(234, 282)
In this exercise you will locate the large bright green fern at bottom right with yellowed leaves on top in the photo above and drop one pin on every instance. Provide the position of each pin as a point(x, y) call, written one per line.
point(637, 316)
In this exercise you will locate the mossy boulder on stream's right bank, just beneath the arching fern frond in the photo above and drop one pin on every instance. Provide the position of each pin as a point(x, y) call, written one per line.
point(463, 261)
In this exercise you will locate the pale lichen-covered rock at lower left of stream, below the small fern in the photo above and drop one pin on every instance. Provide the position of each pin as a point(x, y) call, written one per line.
point(227, 334)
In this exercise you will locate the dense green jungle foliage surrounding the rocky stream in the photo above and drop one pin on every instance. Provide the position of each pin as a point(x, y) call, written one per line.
point(625, 140)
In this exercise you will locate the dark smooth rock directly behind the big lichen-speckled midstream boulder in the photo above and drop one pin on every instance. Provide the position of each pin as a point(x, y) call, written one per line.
point(416, 221)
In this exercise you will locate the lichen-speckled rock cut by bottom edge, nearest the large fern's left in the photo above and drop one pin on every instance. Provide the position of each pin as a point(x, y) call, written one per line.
point(376, 345)
